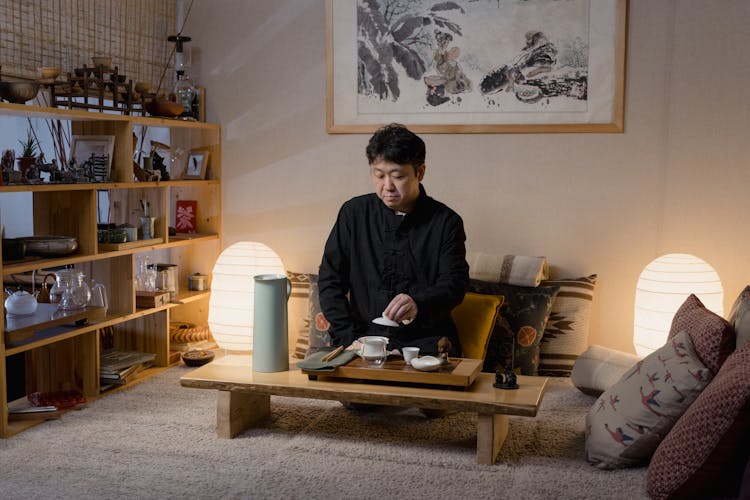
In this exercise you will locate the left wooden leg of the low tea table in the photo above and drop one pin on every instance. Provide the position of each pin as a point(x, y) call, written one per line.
point(237, 411)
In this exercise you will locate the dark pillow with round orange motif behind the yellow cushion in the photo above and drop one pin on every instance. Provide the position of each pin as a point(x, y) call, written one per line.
point(515, 339)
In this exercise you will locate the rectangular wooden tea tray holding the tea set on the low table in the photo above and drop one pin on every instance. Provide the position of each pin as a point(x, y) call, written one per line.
point(459, 372)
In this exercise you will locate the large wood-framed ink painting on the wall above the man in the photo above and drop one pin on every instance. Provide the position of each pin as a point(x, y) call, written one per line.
point(476, 66)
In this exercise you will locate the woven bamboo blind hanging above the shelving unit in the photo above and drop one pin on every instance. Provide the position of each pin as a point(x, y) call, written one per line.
point(68, 33)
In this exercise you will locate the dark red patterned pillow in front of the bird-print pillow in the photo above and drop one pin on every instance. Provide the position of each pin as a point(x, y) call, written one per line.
point(707, 448)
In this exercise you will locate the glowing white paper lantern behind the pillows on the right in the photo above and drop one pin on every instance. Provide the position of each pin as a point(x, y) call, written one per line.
point(662, 287)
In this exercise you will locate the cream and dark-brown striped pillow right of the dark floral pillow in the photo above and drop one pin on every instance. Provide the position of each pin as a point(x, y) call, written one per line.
point(567, 332)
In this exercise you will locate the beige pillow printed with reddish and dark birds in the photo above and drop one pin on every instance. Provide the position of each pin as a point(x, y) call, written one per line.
point(630, 419)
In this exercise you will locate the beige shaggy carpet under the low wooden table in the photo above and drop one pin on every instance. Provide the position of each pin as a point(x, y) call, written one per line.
point(157, 440)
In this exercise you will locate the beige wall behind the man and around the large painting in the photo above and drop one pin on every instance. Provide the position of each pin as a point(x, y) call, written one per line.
point(675, 181)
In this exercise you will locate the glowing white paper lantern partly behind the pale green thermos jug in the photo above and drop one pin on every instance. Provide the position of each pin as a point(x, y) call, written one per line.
point(230, 308)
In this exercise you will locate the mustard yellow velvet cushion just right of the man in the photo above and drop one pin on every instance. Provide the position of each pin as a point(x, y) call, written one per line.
point(475, 319)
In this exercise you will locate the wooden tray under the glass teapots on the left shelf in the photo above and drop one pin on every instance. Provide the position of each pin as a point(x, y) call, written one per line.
point(18, 328)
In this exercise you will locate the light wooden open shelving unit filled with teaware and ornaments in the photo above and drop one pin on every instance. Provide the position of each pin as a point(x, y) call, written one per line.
point(64, 357)
